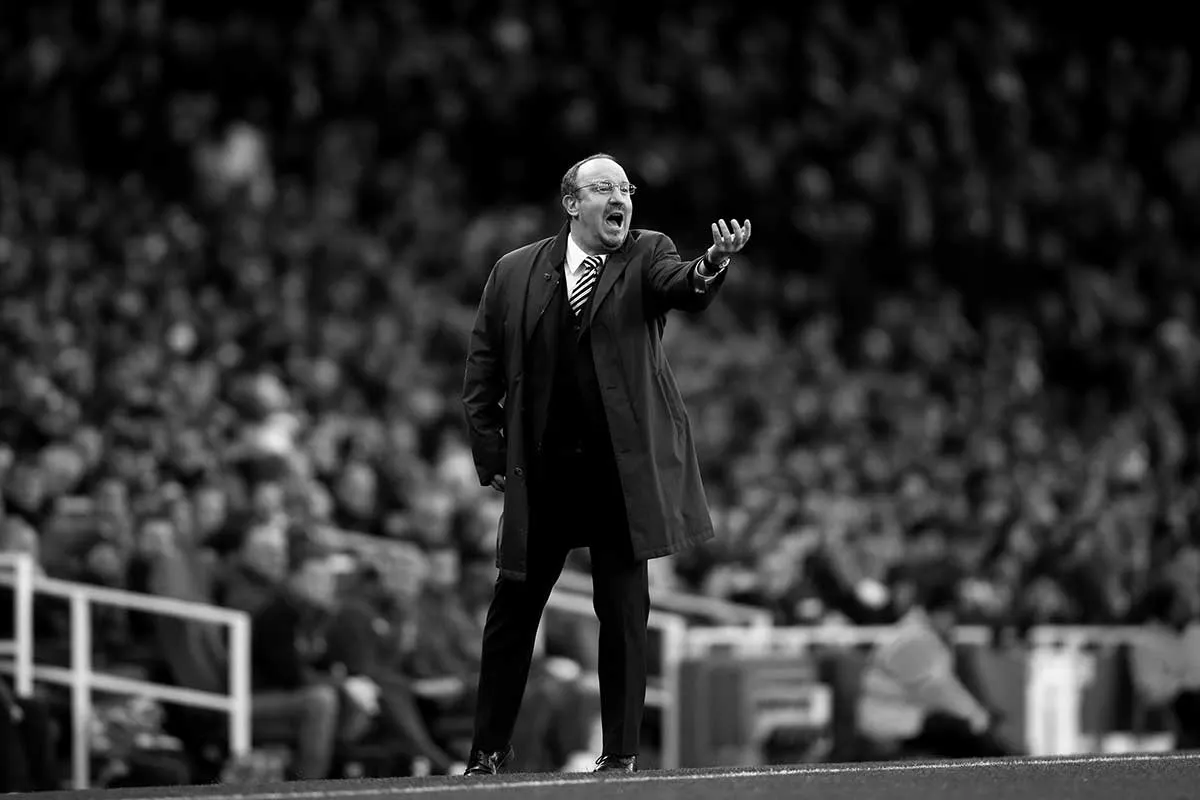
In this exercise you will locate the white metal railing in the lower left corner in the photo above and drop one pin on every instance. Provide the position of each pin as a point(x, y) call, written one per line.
point(17, 570)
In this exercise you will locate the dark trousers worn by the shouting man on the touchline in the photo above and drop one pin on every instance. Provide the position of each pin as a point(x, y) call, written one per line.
point(573, 503)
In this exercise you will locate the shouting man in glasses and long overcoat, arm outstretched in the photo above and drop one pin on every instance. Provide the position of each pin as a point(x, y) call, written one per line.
point(575, 417)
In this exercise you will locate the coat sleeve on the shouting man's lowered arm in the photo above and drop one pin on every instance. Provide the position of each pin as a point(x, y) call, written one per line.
point(485, 386)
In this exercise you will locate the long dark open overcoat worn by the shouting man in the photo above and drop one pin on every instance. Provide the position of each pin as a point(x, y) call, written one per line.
point(649, 425)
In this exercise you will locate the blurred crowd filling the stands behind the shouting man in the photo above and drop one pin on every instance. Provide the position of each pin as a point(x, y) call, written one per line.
point(241, 248)
